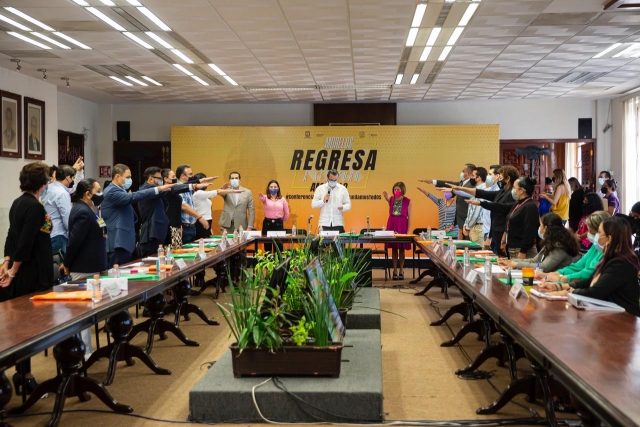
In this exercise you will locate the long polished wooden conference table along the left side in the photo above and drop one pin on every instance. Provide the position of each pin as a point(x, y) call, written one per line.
point(28, 327)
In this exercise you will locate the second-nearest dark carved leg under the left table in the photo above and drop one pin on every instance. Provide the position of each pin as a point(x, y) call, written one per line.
point(119, 326)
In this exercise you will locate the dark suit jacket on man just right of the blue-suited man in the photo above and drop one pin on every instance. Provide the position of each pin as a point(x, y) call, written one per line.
point(153, 216)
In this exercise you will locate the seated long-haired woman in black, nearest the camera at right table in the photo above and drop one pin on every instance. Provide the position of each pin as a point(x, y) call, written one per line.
point(616, 275)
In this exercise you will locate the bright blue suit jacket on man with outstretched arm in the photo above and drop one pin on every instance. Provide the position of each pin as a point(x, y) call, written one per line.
point(120, 217)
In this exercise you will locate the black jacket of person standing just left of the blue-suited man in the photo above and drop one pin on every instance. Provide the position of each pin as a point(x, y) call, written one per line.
point(87, 248)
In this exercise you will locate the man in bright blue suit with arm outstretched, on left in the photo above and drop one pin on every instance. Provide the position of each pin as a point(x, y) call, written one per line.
point(119, 214)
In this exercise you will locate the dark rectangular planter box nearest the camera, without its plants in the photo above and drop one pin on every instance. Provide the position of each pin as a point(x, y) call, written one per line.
point(305, 361)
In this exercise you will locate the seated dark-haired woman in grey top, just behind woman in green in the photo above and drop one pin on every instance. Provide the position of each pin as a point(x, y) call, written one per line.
point(558, 250)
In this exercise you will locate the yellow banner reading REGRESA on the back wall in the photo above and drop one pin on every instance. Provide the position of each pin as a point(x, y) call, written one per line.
point(370, 160)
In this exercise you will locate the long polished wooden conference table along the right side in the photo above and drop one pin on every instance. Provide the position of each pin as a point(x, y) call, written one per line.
point(595, 355)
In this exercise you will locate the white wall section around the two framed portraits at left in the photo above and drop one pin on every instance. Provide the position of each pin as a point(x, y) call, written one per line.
point(10, 168)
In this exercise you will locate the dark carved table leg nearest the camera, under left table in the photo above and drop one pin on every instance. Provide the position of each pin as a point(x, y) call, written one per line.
point(70, 383)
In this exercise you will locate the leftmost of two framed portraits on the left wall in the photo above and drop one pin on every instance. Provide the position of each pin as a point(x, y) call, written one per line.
point(10, 125)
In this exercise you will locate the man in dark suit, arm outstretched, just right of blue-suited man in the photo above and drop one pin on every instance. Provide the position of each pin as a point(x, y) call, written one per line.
point(154, 222)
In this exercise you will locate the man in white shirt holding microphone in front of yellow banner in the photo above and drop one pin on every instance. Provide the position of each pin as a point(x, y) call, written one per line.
point(333, 200)
